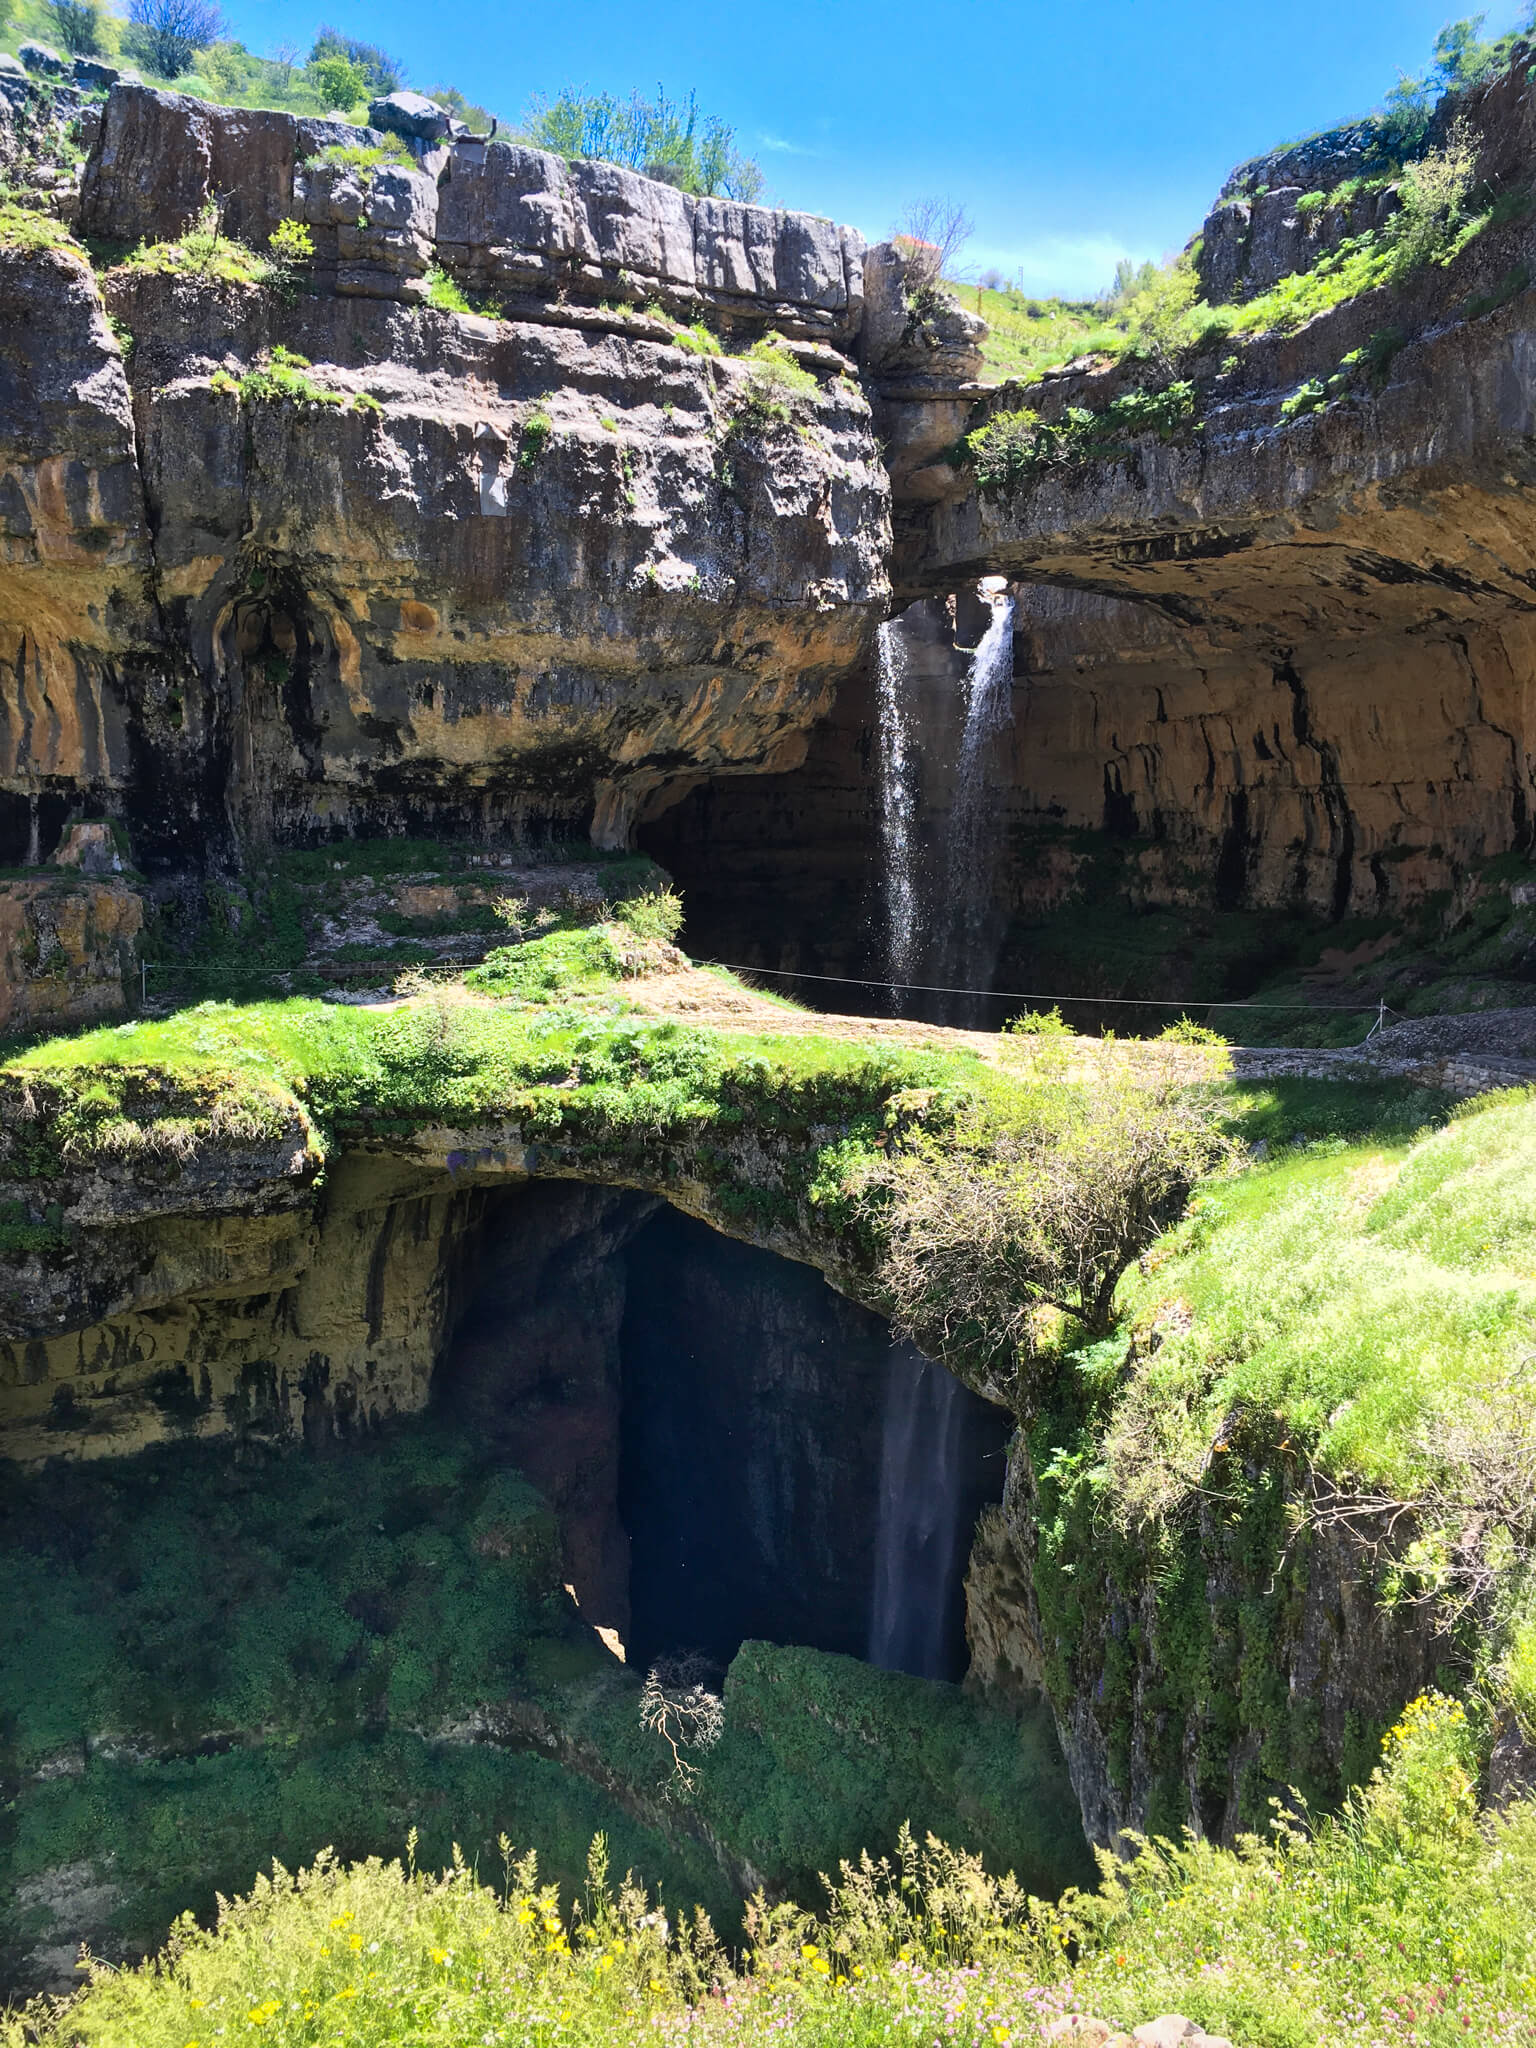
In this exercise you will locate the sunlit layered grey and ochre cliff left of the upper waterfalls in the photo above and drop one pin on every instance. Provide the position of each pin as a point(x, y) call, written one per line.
point(511, 577)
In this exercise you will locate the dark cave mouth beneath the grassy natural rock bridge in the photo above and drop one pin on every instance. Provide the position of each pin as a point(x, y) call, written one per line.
point(732, 1449)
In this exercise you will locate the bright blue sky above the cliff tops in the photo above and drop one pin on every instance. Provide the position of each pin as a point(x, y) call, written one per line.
point(1074, 134)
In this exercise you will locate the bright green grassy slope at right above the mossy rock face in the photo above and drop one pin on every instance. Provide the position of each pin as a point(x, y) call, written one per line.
point(1359, 1295)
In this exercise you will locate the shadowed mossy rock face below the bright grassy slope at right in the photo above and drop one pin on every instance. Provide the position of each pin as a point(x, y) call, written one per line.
point(1281, 1670)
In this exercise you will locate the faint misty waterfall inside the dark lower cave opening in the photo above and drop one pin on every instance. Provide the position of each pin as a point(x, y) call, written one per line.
point(919, 1529)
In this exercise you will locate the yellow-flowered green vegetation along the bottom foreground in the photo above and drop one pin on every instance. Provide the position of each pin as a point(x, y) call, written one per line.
point(1408, 1918)
